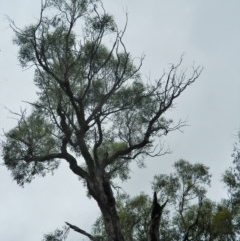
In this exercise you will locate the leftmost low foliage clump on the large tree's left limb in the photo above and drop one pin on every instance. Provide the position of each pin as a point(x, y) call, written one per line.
point(30, 140)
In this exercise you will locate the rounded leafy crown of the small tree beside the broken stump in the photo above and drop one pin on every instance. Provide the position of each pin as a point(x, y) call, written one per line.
point(187, 183)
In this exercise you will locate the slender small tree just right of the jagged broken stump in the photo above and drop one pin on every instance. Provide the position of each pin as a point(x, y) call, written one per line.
point(184, 188)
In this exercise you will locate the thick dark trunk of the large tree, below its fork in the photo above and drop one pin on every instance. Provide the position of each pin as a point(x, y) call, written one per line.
point(100, 188)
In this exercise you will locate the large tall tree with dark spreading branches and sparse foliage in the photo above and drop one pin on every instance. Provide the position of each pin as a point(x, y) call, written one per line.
point(94, 110)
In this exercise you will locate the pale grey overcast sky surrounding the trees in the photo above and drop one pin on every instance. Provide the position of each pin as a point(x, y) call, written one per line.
point(207, 32)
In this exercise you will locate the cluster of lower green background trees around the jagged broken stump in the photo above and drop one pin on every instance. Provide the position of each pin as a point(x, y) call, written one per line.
point(189, 214)
